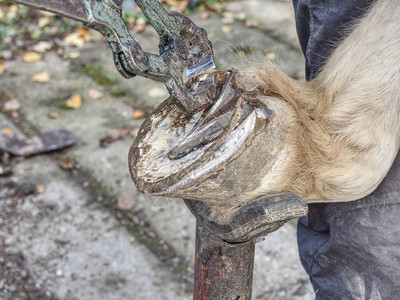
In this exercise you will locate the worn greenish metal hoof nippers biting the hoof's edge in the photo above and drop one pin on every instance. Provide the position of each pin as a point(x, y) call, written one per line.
point(183, 45)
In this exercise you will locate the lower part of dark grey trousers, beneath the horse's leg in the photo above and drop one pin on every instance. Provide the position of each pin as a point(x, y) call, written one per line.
point(352, 250)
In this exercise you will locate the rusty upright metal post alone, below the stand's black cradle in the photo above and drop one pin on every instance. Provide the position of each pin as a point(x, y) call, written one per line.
point(222, 270)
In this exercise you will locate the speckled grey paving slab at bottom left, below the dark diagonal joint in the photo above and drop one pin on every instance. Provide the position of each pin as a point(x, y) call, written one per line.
point(74, 249)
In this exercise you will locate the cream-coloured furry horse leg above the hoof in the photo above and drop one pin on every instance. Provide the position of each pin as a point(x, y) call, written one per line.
point(349, 128)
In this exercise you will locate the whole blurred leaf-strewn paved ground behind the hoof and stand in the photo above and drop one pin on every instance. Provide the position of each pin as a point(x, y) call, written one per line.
point(72, 224)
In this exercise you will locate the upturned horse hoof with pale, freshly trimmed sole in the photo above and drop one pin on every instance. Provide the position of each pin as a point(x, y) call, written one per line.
point(227, 154)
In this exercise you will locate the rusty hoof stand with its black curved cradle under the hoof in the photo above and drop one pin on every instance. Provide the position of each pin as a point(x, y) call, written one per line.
point(224, 258)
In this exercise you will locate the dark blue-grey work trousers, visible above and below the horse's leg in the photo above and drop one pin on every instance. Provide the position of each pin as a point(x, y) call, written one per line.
point(351, 250)
